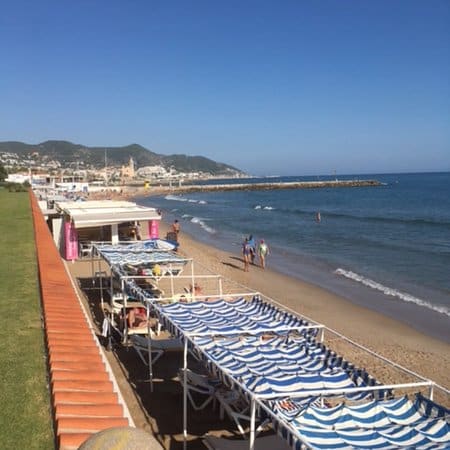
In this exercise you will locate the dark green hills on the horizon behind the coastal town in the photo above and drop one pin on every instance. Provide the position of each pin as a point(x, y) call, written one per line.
point(68, 153)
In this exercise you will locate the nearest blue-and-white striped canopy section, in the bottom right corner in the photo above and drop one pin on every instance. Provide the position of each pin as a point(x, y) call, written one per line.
point(388, 424)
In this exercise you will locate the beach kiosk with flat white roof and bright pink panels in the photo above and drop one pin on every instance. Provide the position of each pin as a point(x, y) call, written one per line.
point(80, 223)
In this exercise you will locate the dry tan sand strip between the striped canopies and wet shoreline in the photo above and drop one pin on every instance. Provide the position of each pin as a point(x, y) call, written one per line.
point(390, 338)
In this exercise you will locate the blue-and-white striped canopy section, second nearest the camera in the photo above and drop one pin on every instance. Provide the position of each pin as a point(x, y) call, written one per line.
point(282, 365)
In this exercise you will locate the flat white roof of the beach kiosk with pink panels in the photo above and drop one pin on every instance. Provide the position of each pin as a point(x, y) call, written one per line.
point(105, 212)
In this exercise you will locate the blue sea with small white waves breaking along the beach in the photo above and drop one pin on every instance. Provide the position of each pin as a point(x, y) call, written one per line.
point(386, 248)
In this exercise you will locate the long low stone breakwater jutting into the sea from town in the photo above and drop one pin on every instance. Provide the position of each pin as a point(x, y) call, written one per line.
point(280, 185)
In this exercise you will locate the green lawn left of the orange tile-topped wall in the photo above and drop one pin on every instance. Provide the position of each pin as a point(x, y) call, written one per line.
point(25, 416)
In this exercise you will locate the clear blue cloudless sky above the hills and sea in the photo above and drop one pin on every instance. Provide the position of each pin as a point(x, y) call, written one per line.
point(271, 87)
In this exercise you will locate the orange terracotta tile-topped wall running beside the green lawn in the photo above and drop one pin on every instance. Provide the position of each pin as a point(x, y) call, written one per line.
point(82, 391)
